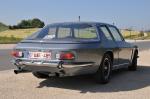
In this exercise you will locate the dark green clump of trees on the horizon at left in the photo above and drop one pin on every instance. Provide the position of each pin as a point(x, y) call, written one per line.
point(31, 23)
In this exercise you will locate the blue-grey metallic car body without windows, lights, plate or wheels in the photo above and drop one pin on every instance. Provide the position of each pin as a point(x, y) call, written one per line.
point(88, 54)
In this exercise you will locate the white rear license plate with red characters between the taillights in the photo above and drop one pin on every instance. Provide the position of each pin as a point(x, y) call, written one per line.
point(40, 55)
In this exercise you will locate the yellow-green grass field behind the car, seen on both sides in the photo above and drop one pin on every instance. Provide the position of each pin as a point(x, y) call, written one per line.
point(14, 36)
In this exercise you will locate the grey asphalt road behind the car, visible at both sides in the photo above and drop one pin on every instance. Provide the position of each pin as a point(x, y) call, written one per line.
point(5, 57)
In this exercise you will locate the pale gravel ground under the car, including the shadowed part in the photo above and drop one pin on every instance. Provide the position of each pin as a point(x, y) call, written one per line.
point(124, 84)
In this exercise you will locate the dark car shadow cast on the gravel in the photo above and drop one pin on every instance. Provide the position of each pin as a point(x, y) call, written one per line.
point(122, 80)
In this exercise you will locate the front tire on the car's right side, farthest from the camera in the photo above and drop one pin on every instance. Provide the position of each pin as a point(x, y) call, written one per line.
point(133, 66)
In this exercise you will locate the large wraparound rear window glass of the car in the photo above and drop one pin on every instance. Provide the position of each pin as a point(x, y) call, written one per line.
point(79, 31)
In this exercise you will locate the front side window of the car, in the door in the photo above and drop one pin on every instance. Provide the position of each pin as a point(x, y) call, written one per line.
point(115, 34)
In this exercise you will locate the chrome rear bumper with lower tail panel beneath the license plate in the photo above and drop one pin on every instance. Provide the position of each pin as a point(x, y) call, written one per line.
point(56, 66)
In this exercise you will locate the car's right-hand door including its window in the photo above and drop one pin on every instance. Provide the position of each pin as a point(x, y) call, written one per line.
point(125, 50)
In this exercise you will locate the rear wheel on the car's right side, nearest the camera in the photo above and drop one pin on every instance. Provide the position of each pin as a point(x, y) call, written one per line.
point(104, 72)
